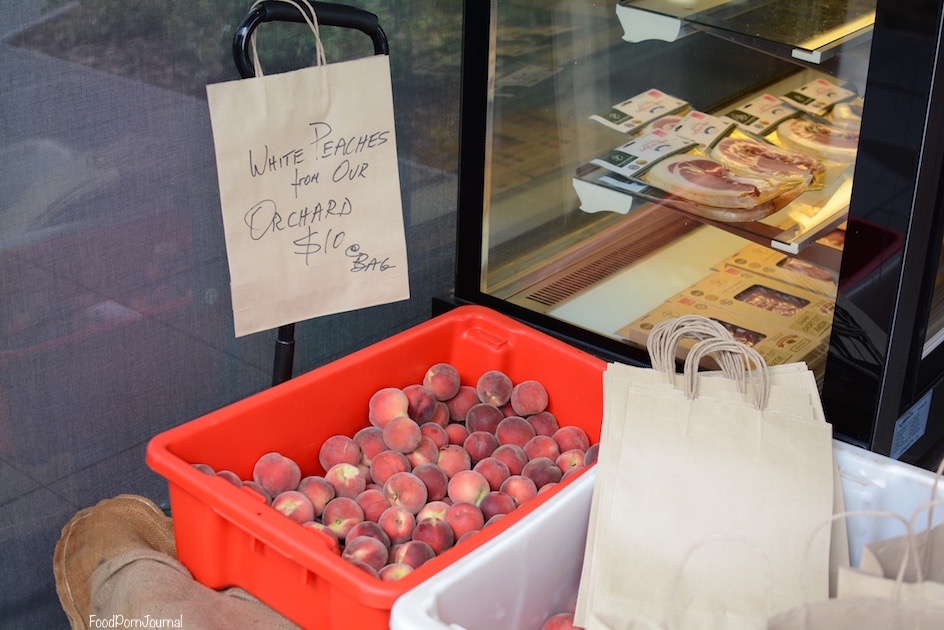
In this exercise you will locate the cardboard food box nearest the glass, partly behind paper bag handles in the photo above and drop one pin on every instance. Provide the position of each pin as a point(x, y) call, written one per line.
point(776, 345)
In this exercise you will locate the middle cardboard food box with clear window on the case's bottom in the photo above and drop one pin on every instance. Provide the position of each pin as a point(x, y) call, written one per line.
point(753, 297)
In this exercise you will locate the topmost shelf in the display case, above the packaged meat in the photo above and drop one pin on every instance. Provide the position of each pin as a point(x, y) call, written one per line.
point(806, 30)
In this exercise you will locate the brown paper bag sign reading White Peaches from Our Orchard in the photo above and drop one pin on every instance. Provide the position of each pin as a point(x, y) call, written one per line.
point(310, 192)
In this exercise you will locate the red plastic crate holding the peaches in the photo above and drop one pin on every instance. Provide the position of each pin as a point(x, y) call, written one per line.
point(228, 537)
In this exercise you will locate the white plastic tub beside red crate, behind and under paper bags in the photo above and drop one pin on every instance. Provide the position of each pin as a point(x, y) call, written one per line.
point(532, 571)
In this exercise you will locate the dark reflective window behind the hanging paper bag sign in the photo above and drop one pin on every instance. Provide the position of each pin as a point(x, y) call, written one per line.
point(116, 321)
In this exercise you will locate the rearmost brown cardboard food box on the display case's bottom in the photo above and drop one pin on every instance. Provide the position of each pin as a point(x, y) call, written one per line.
point(782, 267)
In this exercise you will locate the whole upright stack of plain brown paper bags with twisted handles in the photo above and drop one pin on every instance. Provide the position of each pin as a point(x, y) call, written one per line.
point(709, 486)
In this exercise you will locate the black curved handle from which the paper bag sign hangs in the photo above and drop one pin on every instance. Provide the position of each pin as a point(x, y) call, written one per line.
point(326, 13)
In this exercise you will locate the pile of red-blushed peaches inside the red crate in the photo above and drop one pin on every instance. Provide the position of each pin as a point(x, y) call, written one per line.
point(438, 461)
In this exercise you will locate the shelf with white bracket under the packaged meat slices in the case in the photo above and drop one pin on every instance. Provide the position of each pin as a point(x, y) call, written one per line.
point(794, 229)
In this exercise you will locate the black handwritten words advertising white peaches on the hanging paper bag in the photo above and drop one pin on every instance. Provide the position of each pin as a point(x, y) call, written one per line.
point(303, 165)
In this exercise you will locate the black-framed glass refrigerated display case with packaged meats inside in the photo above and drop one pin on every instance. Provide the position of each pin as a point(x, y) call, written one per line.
point(773, 164)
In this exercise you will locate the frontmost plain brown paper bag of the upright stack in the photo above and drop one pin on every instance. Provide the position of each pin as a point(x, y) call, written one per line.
point(690, 468)
